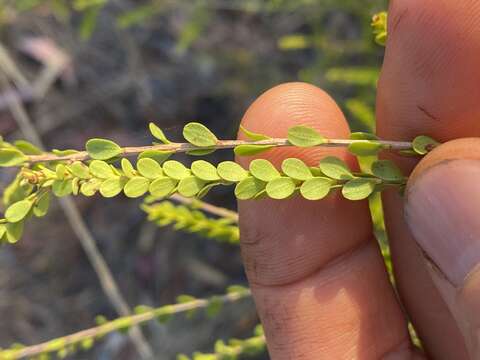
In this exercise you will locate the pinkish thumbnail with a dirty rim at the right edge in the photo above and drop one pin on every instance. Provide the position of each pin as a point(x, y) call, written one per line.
point(443, 212)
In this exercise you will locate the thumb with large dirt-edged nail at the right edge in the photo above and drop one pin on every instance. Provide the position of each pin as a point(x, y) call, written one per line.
point(442, 210)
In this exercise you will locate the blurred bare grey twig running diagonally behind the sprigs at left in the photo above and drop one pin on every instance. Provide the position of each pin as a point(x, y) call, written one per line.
point(78, 225)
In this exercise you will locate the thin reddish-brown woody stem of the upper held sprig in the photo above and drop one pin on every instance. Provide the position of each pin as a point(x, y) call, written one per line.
point(221, 144)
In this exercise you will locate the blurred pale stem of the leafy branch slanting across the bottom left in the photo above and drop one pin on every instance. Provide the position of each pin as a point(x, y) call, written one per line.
point(133, 320)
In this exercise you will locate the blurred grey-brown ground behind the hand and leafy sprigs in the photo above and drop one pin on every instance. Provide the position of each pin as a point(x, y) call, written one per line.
point(106, 68)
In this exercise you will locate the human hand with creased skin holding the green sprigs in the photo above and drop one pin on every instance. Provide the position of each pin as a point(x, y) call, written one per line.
point(315, 270)
